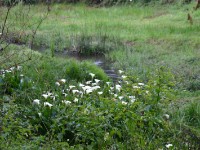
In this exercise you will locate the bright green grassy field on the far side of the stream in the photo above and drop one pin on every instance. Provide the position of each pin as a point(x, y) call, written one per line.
point(152, 35)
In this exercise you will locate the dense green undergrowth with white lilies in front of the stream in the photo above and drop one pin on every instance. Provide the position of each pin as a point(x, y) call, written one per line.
point(90, 112)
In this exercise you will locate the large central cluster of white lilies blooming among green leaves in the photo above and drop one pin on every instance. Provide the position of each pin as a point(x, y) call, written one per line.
point(72, 94)
